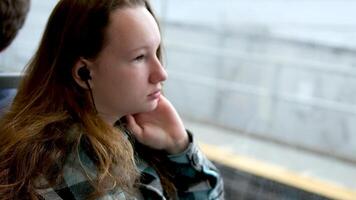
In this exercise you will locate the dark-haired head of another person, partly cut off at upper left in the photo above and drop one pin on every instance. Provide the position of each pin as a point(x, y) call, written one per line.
point(12, 17)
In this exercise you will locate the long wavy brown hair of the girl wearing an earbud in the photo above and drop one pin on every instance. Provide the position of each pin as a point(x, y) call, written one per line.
point(34, 140)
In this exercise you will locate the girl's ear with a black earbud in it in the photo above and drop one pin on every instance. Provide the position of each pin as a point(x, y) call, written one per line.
point(81, 73)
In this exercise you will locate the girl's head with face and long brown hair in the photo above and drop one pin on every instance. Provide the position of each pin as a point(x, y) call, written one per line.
point(117, 43)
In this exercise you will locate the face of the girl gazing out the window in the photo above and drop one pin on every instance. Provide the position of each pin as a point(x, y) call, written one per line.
point(127, 75)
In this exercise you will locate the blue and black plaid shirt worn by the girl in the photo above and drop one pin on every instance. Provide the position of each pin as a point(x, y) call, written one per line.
point(195, 177)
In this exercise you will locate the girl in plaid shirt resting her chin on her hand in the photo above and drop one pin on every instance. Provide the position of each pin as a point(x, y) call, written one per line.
point(89, 120)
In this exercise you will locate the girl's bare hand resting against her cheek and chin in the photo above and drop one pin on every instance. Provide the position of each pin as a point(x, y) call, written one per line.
point(161, 128)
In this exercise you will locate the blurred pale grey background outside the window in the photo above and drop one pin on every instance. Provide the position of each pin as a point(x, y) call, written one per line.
point(273, 81)
